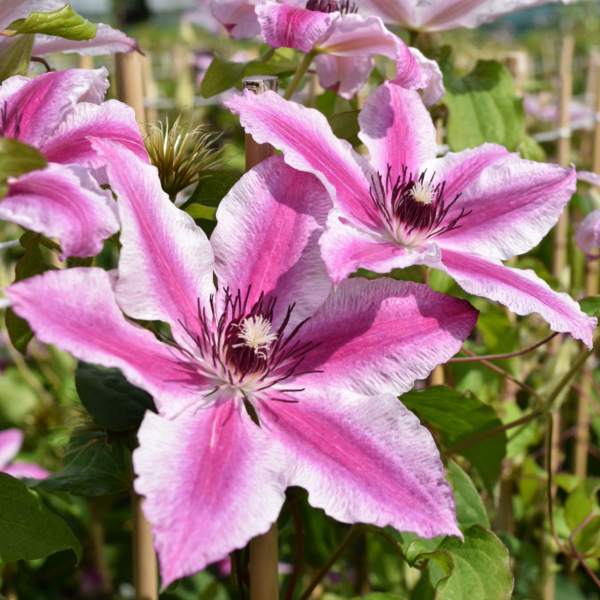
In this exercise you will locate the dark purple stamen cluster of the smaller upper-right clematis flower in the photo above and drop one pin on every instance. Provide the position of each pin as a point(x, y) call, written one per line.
point(414, 209)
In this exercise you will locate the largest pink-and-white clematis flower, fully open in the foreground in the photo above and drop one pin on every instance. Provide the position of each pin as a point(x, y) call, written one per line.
point(271, 379)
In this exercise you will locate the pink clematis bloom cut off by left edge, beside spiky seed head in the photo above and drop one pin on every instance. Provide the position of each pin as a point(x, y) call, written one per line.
point(56, 113)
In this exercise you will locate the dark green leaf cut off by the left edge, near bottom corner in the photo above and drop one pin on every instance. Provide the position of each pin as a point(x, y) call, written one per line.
point(28, 529)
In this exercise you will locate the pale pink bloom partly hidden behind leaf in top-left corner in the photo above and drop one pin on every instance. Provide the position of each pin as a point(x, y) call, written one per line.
point(107, 40)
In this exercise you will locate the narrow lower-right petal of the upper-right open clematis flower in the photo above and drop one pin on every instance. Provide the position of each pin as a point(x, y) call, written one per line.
point(522, 291)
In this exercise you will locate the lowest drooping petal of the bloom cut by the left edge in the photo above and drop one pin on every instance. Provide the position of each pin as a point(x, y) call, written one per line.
point(64, 202)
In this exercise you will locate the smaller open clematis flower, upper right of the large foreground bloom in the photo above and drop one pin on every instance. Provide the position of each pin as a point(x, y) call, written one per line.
point(463, 214)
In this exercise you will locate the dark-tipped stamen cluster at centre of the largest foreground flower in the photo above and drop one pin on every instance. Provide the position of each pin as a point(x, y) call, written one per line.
point(235, 347)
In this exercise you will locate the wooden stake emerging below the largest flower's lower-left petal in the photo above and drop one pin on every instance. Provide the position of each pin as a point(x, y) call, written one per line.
point(145, 573)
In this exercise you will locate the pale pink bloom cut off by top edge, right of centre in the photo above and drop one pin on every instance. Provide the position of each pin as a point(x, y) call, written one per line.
point(443, 15)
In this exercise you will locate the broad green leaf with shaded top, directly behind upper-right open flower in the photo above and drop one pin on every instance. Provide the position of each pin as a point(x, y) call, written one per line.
point(483, 107)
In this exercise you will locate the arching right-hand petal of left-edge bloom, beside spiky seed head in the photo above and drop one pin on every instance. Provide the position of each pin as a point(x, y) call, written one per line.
point(111, 120)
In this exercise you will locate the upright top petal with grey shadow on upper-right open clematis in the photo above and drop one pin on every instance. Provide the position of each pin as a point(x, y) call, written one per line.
point(397, 129)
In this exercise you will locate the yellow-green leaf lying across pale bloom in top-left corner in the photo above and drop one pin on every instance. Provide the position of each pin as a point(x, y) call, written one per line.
point(64, 23)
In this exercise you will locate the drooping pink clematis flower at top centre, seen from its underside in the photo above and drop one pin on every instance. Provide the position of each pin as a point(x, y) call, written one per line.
point(344, 42)
